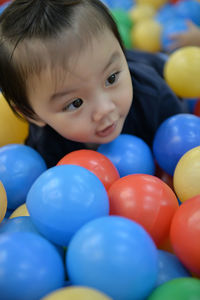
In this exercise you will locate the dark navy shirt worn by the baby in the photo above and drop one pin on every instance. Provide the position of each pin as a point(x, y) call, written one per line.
point(153, 102)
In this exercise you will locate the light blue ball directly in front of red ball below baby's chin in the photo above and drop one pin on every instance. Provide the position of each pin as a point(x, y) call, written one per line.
point(64, 198)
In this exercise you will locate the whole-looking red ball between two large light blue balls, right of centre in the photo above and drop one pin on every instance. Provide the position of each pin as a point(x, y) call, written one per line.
point(147, 200)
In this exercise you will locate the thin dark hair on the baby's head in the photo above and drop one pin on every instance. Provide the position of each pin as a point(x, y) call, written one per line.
point(45, 21)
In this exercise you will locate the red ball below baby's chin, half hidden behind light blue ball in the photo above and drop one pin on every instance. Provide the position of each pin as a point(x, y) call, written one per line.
point(95, 162)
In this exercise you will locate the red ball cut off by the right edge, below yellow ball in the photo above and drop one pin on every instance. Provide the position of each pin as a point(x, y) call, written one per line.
point(185, 234)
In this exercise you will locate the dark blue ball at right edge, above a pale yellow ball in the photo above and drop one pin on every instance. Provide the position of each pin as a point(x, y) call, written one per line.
point(174, 137)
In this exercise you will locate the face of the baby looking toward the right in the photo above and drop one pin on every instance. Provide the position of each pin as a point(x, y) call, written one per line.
point(90, 101)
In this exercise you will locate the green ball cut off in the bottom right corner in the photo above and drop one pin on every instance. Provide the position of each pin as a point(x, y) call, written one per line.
point(177, 289)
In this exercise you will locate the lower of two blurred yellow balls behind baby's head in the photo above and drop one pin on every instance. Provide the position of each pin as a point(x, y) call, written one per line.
point(145, 35)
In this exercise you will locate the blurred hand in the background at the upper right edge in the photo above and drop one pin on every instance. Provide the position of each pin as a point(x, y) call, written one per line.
point(191, 37)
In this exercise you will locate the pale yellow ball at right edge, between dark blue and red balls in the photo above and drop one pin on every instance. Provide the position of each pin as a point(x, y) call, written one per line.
point(187, 175)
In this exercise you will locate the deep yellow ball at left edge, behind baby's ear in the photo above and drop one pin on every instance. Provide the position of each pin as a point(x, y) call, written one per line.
point(12, 129)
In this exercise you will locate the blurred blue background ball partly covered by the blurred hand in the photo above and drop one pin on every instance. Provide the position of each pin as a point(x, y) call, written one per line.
point(175, 26)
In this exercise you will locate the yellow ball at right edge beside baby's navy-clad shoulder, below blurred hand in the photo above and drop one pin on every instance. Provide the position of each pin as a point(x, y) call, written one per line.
point(182, 72)
